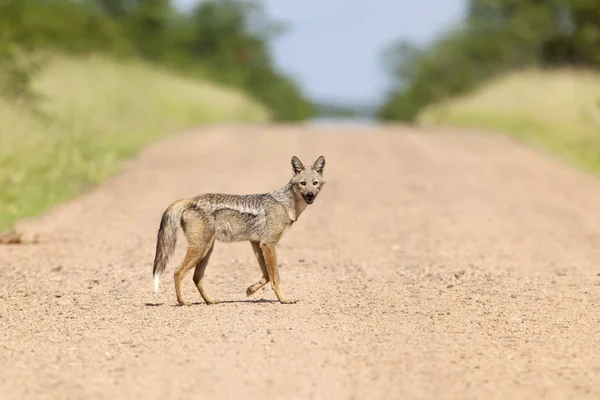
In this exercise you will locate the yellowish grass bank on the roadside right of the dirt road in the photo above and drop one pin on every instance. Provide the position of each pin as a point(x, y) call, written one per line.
point(555, 110)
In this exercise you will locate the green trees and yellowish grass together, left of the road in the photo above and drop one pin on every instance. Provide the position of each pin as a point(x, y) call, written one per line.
point(85, 84)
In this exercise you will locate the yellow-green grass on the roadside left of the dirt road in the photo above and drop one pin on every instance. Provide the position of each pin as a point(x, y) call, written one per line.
point(101, 112)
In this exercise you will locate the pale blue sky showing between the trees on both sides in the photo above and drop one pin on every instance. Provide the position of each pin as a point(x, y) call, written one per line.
point(333, 48)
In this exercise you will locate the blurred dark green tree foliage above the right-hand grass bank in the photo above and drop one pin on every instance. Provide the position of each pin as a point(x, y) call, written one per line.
point(495, 37)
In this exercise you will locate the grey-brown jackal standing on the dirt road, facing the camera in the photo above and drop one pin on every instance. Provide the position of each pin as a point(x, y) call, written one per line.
point(261, 219)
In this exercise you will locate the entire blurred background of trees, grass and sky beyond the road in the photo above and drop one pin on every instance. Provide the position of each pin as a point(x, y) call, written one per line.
point(84, 84)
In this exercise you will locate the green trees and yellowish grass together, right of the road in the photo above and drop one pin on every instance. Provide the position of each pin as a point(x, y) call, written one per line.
point(522, 67)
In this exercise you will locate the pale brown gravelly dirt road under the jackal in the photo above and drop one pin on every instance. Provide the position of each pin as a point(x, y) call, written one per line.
point(434, 265)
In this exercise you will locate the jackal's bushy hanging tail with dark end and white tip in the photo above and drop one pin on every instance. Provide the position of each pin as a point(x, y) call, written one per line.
point(167, 237)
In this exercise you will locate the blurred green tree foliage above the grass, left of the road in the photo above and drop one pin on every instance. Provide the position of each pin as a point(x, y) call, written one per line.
point(227, 39)
